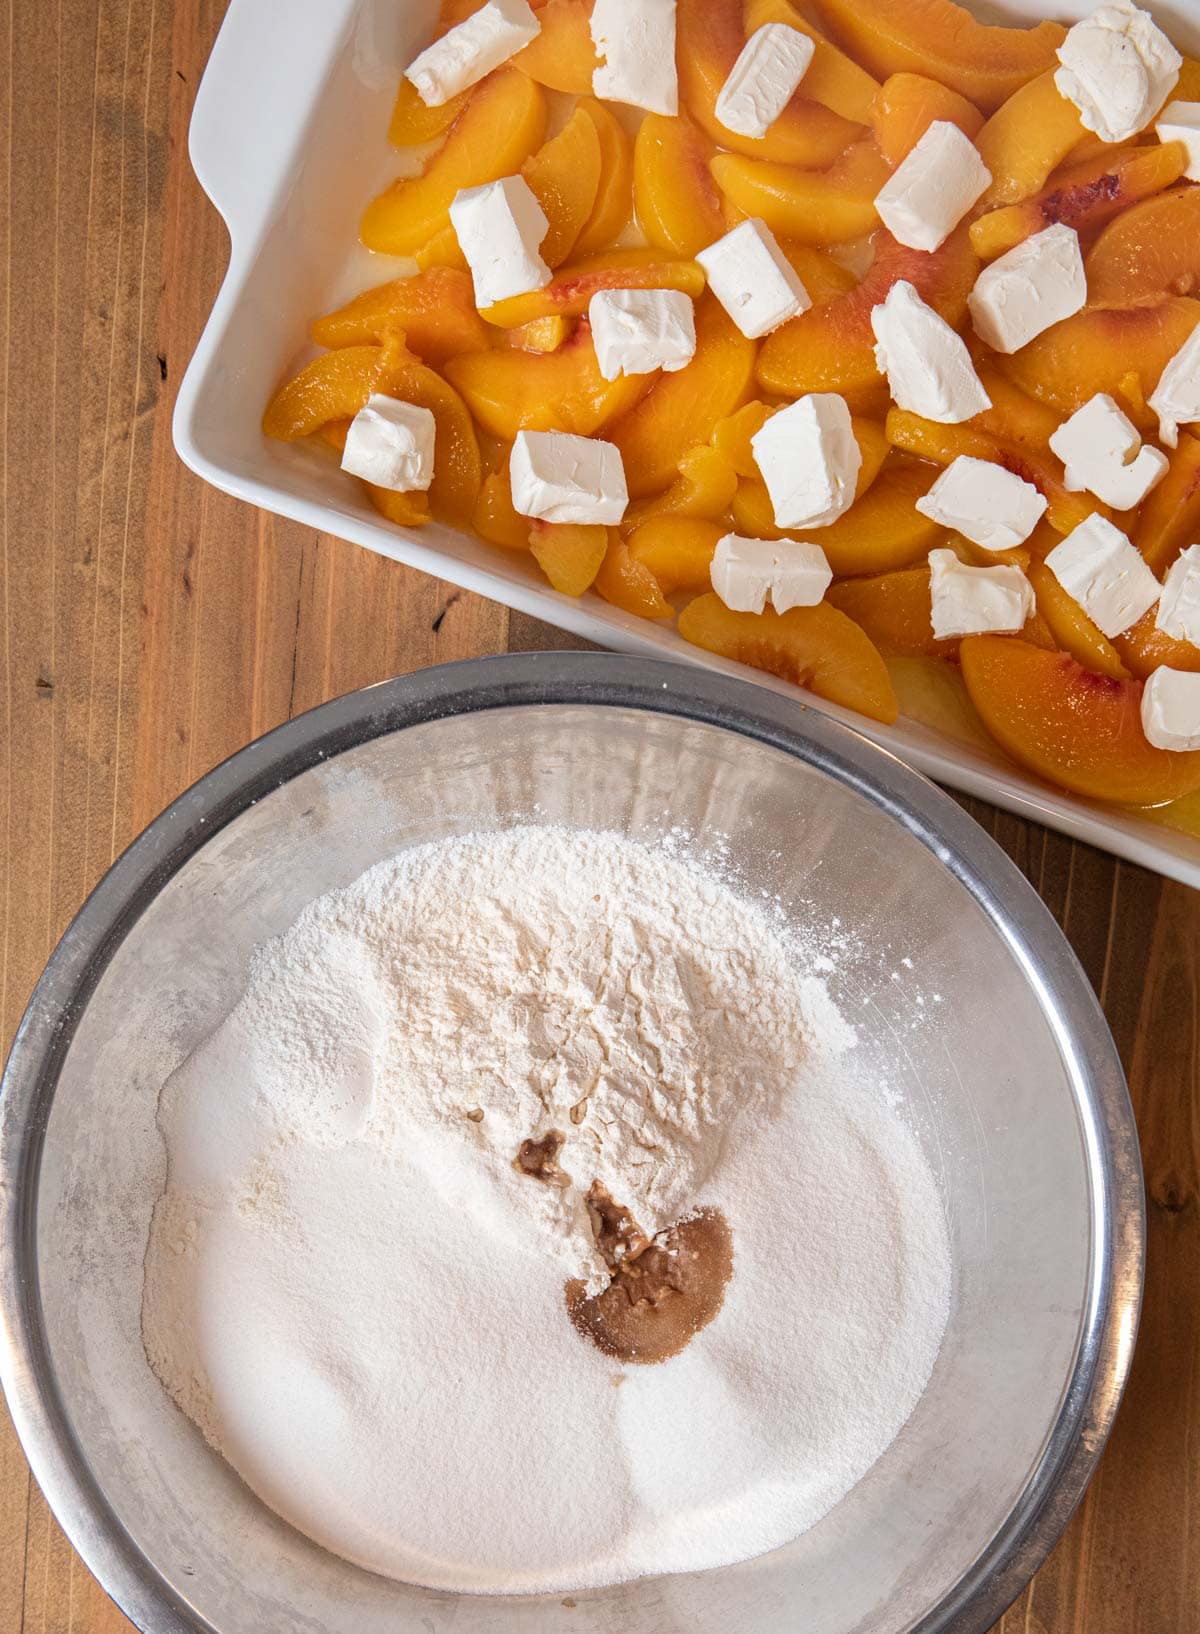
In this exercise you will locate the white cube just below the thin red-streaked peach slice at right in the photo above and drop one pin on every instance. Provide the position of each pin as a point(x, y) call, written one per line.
point(1036, 285)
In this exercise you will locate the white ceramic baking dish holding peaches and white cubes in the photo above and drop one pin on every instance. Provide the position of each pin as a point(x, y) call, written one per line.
point(289, 140)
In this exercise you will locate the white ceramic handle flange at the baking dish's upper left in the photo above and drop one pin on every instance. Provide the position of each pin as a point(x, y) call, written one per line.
point(243, 135)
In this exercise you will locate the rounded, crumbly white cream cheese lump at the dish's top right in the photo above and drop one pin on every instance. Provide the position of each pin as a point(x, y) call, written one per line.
point(1117, 68)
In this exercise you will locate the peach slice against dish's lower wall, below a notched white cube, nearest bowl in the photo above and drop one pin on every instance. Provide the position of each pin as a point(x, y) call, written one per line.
point(817, 648)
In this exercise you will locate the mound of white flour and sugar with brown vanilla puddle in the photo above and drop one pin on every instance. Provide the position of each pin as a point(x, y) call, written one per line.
point(531, 1225)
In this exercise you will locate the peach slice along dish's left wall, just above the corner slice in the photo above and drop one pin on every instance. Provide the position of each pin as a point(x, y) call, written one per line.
point(436, 313)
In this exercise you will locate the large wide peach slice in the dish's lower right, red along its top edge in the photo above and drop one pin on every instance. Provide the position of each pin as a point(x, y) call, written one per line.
point(1073, 728)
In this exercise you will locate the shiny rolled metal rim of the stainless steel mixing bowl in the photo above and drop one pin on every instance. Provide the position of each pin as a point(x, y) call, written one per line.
point(1016, 911)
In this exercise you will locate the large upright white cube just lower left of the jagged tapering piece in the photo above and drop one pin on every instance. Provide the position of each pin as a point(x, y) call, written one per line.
point(810, 460)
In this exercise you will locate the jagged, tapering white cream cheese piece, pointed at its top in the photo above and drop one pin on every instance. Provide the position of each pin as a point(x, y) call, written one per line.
point(928, 365)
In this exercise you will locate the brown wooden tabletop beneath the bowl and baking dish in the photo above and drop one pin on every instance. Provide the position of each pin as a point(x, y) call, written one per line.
point(153, 627)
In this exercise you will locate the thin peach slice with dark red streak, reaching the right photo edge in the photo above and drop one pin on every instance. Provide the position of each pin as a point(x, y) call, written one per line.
point(1083, 197)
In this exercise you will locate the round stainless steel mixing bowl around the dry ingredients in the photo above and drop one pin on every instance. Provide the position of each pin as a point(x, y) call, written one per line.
point(992, 1034)
